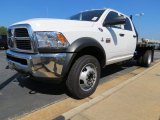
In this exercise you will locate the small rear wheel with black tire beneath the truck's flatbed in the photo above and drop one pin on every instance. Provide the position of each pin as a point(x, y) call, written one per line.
point(145, 60)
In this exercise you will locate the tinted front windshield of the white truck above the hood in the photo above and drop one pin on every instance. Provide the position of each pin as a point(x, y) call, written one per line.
point(88, 15)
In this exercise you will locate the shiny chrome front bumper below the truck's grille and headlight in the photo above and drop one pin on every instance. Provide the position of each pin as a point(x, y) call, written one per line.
point(38, 65)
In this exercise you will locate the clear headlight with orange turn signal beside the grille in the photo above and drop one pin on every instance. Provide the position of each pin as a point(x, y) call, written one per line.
point(51, 40)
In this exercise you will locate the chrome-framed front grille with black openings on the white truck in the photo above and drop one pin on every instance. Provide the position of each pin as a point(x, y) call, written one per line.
point(20, 38)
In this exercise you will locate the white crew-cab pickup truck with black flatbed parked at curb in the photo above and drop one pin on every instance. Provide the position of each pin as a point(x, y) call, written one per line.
point(76, 49)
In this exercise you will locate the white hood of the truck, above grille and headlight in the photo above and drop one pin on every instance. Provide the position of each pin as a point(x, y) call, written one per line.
point(45, 24)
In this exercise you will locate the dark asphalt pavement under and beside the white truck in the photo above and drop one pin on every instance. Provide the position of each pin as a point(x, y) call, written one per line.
point(19, 95)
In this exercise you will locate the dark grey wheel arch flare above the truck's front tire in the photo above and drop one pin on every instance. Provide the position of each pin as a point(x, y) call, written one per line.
point(84, 46)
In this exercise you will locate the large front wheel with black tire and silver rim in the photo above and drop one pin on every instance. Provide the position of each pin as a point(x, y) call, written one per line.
point(83, 67)
